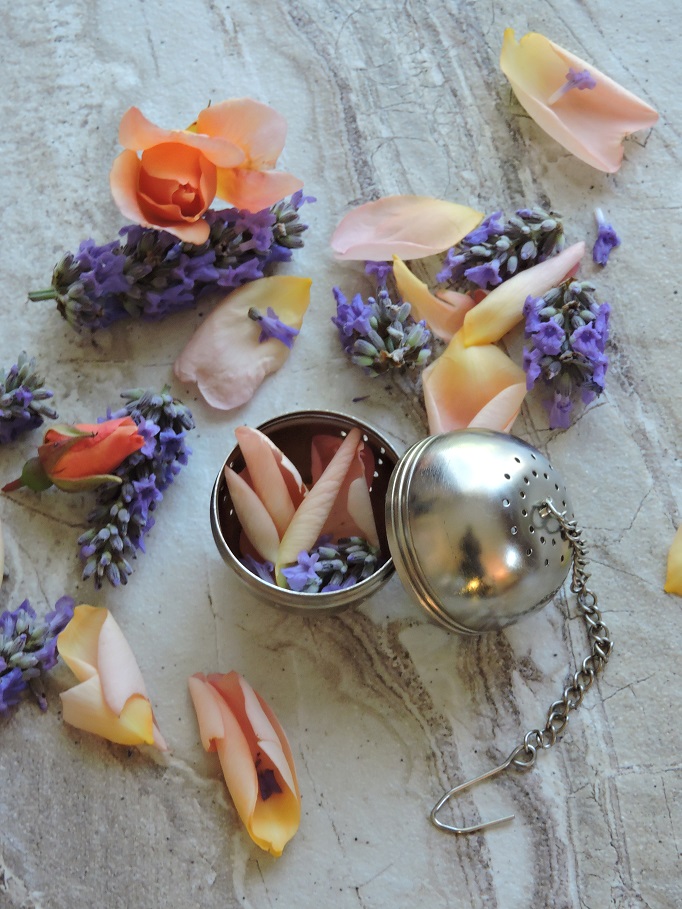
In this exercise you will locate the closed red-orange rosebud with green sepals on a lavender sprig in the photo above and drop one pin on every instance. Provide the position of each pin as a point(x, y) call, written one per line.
point(80, 457)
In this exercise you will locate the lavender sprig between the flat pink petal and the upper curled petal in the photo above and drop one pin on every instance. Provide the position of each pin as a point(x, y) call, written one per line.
point(495, 251)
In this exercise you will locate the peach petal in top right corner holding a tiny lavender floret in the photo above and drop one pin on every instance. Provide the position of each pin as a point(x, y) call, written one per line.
point(590, 123)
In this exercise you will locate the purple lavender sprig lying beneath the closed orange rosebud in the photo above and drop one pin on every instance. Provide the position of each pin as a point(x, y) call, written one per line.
point(123, 515)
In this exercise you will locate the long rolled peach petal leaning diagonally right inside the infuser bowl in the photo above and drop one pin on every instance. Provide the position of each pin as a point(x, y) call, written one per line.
point(312, 514)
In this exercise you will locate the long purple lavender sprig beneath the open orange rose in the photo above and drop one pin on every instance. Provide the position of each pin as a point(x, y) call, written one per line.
point(150, 274)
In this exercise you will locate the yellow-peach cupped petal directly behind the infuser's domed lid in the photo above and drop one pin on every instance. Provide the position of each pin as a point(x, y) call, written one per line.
point(477, 386)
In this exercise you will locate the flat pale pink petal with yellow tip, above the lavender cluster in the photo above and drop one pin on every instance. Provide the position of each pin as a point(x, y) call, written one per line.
point(411, 227)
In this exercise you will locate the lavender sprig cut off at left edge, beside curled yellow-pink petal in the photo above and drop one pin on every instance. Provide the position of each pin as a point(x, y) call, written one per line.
point(28, 647)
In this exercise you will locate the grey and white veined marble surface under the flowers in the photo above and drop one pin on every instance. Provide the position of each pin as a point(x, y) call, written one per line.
point(383, 708)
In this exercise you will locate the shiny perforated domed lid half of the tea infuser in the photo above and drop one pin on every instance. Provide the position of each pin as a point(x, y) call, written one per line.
point(466, 531)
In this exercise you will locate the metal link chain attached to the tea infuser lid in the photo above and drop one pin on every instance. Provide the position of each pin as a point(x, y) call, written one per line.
point(524, 757)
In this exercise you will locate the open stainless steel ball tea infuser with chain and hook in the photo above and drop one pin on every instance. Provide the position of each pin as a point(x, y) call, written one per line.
point(481, 531)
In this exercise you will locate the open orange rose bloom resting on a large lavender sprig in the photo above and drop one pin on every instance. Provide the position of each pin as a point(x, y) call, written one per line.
point(229, 151)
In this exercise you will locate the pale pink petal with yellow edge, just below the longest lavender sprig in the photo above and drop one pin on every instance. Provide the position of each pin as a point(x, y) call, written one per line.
point(225, 358)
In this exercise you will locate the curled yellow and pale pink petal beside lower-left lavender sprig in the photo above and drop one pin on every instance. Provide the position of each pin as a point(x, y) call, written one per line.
point(111, 699)
